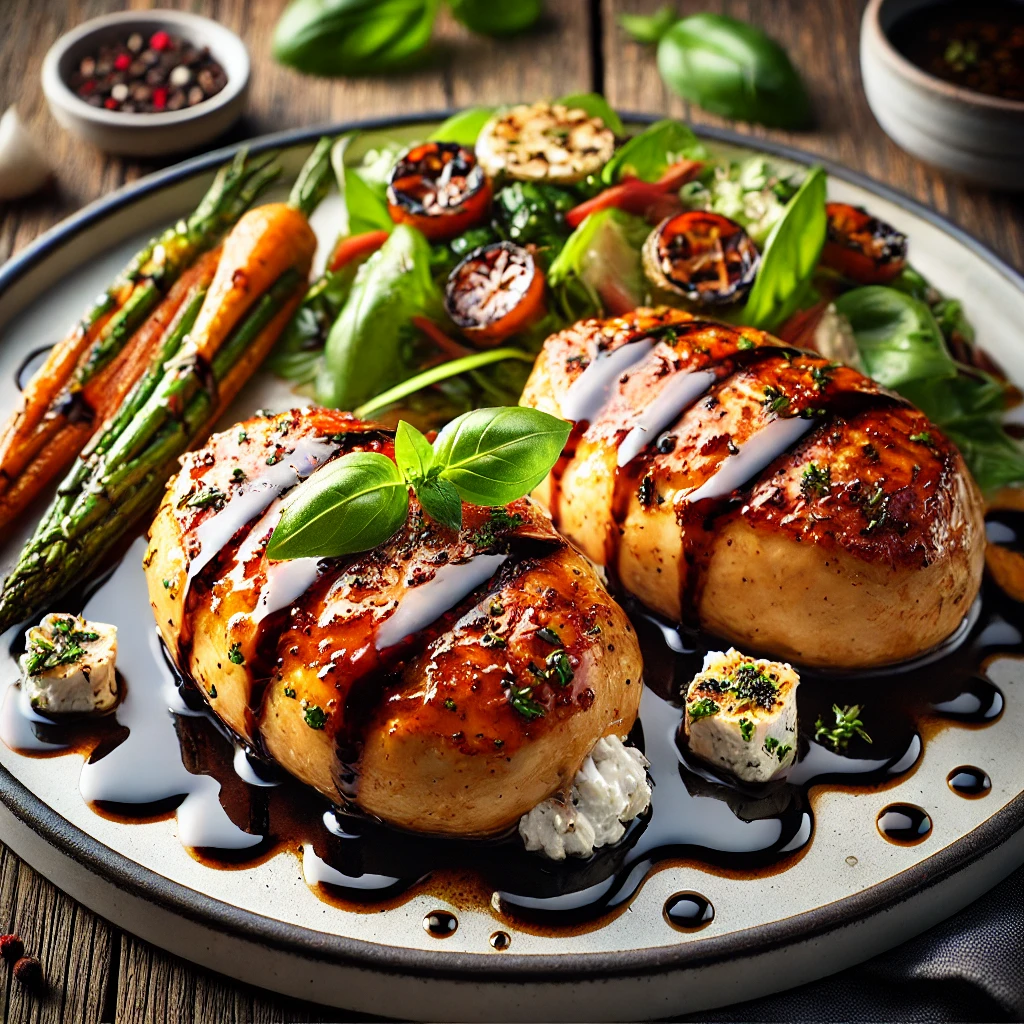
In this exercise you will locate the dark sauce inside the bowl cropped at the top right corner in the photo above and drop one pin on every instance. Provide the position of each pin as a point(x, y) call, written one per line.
point(978, 47)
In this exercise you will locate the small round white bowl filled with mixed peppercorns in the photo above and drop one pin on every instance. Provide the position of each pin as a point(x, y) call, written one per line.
point(147, 83)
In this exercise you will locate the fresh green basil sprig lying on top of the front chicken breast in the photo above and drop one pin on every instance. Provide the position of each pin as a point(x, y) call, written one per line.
point(487, 457)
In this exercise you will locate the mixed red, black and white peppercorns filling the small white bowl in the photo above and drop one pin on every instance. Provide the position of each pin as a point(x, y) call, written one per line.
point(148, 76)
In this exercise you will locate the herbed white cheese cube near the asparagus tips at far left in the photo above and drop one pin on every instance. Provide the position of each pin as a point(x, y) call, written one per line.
point(69, 666)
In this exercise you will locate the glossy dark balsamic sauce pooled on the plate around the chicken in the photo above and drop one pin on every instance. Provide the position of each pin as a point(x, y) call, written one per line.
point(161, 753)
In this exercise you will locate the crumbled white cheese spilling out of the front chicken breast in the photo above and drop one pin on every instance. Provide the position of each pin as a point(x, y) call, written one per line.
point(610, 790)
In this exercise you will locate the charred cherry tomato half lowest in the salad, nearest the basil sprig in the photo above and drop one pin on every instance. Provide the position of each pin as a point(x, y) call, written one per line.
point(495, 292)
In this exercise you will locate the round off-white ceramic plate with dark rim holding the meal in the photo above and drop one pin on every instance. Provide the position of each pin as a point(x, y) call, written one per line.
point(851, 895)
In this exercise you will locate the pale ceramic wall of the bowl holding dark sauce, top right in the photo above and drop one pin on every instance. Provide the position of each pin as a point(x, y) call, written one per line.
point(975, 137)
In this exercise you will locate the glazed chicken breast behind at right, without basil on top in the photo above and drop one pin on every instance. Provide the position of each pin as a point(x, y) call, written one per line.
point(786, 503)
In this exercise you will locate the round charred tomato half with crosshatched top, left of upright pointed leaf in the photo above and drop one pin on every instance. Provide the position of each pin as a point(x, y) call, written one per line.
point(704, 258)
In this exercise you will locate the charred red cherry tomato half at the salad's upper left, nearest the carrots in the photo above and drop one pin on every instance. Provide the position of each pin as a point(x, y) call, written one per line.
point(439, 189)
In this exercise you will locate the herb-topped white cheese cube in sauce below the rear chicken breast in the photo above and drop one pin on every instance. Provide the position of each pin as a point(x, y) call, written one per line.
point(742, 715)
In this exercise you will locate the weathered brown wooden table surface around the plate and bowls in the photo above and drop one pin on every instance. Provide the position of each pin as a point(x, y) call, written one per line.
point(96, 972)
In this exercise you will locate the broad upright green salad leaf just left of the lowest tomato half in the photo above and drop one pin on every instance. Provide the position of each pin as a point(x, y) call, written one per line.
point(371, 346)
